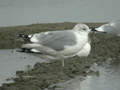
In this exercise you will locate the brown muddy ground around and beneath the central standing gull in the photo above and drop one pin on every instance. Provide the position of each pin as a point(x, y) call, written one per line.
point(43, 75)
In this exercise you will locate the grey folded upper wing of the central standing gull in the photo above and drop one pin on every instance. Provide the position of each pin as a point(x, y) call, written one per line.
point(55, 39)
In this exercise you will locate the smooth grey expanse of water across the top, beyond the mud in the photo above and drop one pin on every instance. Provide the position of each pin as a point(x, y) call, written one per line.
point(24, 12)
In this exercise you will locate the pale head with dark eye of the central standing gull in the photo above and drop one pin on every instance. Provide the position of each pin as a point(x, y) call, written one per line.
point(81, 28)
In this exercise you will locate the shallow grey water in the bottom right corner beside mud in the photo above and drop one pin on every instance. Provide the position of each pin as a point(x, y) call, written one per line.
point(107, 79)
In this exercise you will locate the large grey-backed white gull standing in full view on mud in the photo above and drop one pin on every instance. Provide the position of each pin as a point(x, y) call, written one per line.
point(62, 43)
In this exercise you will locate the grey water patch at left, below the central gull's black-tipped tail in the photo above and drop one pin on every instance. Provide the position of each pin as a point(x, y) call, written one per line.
point(11, 61)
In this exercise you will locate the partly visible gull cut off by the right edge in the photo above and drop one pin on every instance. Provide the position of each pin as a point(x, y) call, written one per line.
point(111, 28)
